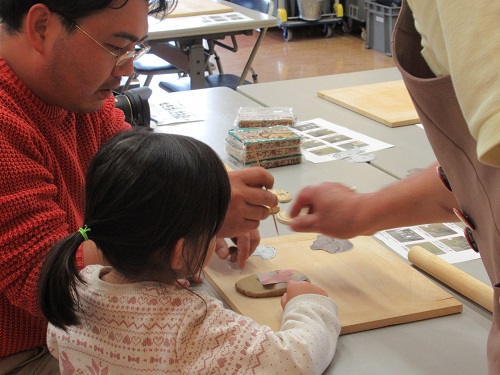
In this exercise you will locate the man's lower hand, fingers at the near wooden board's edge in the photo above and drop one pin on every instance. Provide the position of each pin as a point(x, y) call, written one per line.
point(245, 245)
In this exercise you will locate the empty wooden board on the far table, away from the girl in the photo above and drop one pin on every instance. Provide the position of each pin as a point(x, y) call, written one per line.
point(386, 102)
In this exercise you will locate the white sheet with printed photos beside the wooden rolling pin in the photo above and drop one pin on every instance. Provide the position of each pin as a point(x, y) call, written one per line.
point(446, 240)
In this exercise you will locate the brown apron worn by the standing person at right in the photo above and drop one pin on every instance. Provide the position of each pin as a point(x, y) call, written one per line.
point(475, 185)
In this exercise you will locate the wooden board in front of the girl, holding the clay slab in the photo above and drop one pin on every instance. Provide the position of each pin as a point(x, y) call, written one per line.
point(372, 286)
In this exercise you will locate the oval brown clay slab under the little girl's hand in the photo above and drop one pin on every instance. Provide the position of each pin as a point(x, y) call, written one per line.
point(251, 285)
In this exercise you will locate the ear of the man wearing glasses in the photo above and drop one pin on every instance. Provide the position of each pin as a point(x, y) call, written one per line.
point(37, 22)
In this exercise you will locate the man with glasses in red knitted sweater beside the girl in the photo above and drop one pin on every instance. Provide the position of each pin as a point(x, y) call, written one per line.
point(59, 61)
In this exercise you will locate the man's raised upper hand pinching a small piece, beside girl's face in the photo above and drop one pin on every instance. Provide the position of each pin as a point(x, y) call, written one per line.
point(248, 201)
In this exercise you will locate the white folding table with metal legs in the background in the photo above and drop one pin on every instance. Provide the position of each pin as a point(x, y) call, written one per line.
point(190, 33)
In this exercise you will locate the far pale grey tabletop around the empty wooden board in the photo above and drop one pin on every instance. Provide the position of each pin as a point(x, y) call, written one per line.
point(412, 149)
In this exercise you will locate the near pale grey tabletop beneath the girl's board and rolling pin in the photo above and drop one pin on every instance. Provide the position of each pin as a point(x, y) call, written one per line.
point(448, 345)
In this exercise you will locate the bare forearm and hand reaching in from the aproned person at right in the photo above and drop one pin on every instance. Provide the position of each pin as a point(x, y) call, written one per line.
point(337, 211)
